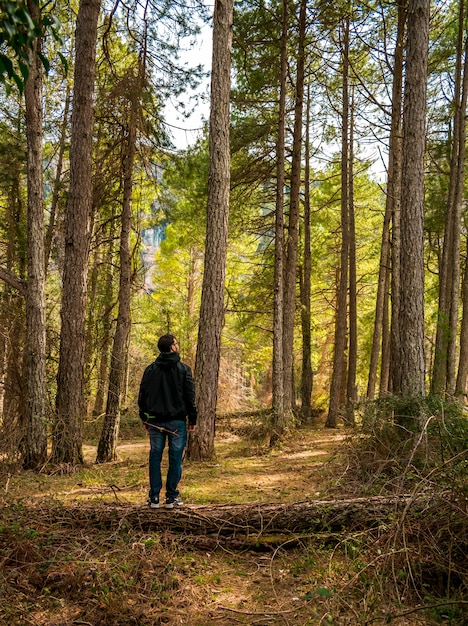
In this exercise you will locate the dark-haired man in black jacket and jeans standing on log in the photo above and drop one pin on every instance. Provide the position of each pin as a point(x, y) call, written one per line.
point(166, 399)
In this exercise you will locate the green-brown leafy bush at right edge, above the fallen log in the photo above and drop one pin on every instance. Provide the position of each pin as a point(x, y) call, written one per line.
point(391, 451)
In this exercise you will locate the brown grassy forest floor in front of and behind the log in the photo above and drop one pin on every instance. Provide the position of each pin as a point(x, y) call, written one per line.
point(58, 572)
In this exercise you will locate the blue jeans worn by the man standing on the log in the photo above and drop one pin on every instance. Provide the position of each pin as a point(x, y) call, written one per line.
point(175, 431)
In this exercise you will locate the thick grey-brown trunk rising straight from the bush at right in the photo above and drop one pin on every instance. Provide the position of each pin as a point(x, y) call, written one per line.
point(411, 321)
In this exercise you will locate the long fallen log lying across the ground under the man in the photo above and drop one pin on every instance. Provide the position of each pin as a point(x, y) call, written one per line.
point(241, 520)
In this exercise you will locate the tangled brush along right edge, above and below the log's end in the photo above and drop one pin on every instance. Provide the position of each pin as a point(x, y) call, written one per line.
point(418, 448)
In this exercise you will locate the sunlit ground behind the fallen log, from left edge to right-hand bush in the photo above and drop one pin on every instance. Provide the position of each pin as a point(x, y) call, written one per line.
point(243, 471)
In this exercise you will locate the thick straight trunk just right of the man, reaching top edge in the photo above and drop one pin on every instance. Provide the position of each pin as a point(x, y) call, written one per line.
point(201, 443)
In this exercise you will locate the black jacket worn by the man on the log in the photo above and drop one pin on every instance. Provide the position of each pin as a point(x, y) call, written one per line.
point(167, 391)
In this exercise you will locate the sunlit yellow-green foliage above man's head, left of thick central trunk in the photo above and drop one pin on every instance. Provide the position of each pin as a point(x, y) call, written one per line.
point(172, 300)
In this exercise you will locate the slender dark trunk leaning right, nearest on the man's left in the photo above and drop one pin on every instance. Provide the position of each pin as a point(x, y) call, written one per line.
point(108, 442)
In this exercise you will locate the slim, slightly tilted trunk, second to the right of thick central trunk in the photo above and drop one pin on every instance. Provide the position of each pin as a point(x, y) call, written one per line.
point(290, 270)
